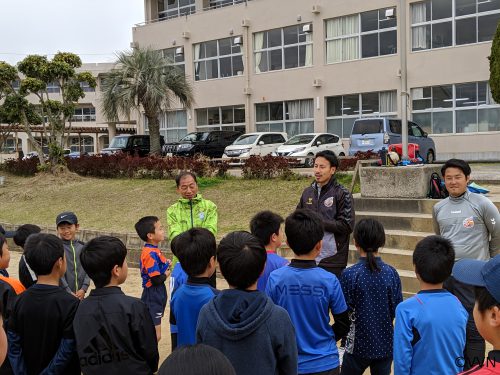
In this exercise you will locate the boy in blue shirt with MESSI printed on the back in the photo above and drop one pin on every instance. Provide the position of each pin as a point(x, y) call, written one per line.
point(309, 294)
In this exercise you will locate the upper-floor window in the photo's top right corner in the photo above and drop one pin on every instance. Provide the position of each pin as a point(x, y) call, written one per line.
point(444, 23)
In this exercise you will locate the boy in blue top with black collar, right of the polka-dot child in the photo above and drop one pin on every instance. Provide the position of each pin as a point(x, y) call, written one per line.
point(429, 334)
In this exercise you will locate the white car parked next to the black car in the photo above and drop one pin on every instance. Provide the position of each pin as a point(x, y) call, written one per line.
point(260, 143)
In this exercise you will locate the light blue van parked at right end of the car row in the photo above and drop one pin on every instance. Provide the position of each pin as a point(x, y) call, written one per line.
point(376, 133)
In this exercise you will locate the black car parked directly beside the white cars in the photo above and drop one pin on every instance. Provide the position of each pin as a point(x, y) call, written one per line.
point(211, 144)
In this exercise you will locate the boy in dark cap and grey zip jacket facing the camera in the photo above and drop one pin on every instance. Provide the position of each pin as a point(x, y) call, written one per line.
point(75, 279)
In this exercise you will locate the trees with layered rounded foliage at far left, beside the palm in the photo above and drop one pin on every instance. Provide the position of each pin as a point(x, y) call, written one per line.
point(32, 104)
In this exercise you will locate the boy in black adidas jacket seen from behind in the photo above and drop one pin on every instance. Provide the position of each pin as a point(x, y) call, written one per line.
point(114, 332)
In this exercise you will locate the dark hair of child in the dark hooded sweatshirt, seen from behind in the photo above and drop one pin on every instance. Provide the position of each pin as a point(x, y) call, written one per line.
point(242, 258)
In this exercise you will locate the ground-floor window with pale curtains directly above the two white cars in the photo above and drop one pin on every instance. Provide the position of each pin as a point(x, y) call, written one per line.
point(293, 117)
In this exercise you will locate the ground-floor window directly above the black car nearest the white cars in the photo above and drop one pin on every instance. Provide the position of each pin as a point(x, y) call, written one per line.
point(221, 118)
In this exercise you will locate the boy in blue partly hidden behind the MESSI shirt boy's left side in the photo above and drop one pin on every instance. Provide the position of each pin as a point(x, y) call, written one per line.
point(266, 226)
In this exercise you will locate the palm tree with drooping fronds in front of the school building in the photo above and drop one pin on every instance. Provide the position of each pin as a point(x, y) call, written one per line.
point(143, 78)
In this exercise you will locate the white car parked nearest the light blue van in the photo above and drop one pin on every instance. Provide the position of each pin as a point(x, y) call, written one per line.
point(305, 146)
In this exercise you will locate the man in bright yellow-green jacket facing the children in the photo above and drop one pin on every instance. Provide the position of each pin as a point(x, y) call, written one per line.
point(191, 210)
